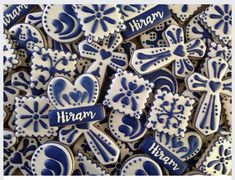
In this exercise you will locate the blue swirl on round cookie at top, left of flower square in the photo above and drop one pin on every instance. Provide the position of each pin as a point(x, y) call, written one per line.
point(67, 25)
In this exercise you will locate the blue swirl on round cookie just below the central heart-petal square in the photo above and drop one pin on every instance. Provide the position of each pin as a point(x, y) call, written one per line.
point(132, 127)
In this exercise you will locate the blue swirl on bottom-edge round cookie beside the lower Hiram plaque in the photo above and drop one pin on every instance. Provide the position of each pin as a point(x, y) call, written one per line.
point(149, 169)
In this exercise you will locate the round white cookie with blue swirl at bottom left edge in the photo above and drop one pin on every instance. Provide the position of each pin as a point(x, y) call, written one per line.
point(52, 158)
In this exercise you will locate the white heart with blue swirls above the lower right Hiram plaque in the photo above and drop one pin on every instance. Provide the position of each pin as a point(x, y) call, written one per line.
point(183, 147)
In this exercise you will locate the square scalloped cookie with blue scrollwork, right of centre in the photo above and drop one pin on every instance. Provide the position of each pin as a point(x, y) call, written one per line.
point(170, 113)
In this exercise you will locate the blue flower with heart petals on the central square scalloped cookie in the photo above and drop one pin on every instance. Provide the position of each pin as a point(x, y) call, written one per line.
point(128, 93)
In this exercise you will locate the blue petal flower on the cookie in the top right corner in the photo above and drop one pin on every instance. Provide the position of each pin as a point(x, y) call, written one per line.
point(223, 16)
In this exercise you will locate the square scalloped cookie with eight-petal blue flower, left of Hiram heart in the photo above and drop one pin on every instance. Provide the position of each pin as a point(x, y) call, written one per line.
point(32, 117)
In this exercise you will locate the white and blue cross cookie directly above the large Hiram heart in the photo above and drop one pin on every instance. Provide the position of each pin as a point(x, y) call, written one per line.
point(104, 55)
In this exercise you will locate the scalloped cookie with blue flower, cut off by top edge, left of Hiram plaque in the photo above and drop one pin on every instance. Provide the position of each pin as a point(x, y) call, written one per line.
point(99, 20)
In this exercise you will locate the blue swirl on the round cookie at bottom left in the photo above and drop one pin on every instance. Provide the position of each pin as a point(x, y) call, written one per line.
point(57, 162)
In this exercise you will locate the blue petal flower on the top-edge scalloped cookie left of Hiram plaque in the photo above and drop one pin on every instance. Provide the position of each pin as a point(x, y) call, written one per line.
point(98, 14)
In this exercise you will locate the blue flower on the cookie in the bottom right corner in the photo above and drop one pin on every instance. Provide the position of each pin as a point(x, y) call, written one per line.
point(221, 159)
